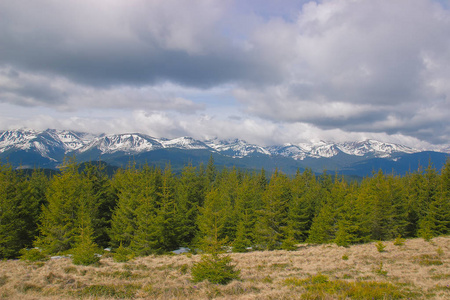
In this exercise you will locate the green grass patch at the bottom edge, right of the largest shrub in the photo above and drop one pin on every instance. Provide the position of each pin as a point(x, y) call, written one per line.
point(320, 287)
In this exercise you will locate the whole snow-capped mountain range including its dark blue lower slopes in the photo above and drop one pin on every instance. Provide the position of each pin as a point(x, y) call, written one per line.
point(27, 148)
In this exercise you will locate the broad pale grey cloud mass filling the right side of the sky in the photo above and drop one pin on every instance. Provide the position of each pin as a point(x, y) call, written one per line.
point(362, 66)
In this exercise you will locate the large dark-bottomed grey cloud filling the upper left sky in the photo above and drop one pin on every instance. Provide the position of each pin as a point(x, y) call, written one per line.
point(127, 42)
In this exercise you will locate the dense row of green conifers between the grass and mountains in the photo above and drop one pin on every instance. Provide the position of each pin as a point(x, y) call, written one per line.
point(150, 210)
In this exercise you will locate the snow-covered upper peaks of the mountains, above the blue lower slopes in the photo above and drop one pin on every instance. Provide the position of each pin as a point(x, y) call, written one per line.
point(49, 140)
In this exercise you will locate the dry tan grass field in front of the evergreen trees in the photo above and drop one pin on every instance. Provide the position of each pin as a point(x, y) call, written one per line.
point(415, 270)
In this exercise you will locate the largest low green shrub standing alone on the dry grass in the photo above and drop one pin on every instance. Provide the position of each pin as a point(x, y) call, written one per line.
point(215, 269)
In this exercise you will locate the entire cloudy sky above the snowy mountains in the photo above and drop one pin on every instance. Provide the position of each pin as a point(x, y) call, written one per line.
point(266, 71)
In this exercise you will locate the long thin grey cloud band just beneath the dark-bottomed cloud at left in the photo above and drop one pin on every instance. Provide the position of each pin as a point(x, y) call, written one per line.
point(35, 90)
